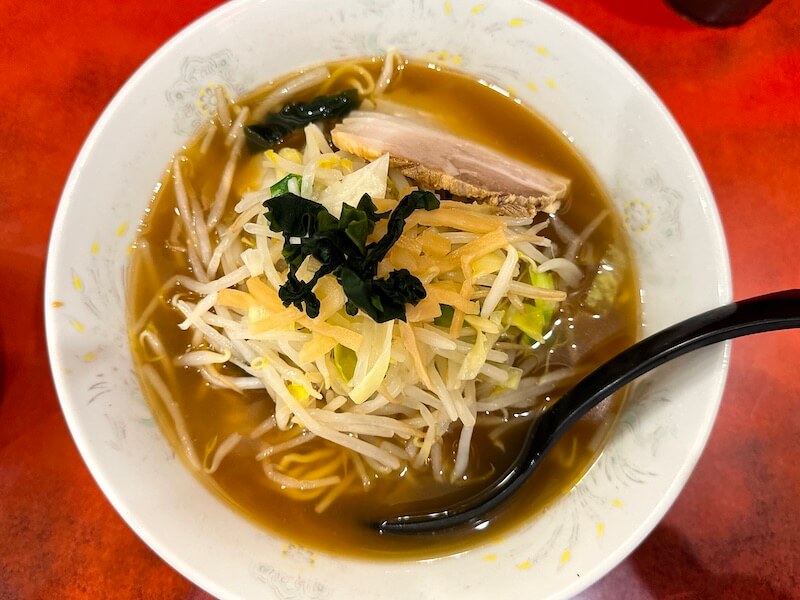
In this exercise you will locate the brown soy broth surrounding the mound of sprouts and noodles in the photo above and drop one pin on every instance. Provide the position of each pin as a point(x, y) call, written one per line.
point(475, 111)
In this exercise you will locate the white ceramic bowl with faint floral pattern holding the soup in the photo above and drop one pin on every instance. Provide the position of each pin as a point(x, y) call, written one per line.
point(559, 68)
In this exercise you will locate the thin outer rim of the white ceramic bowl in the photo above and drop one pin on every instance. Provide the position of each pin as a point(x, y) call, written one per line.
point(85, 448)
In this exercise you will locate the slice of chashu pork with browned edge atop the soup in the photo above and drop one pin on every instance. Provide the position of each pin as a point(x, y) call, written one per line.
point(439, 160)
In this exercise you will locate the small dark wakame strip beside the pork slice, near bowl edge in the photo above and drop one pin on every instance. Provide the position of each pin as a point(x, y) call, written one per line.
point(297, 115)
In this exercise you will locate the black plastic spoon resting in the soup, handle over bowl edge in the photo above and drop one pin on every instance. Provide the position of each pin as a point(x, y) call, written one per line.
point(780, 310)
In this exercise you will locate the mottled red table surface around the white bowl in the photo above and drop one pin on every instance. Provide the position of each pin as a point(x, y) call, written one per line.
point(735, 530)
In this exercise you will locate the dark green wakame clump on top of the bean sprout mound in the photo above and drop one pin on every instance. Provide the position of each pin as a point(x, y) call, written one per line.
point(340, 245)
